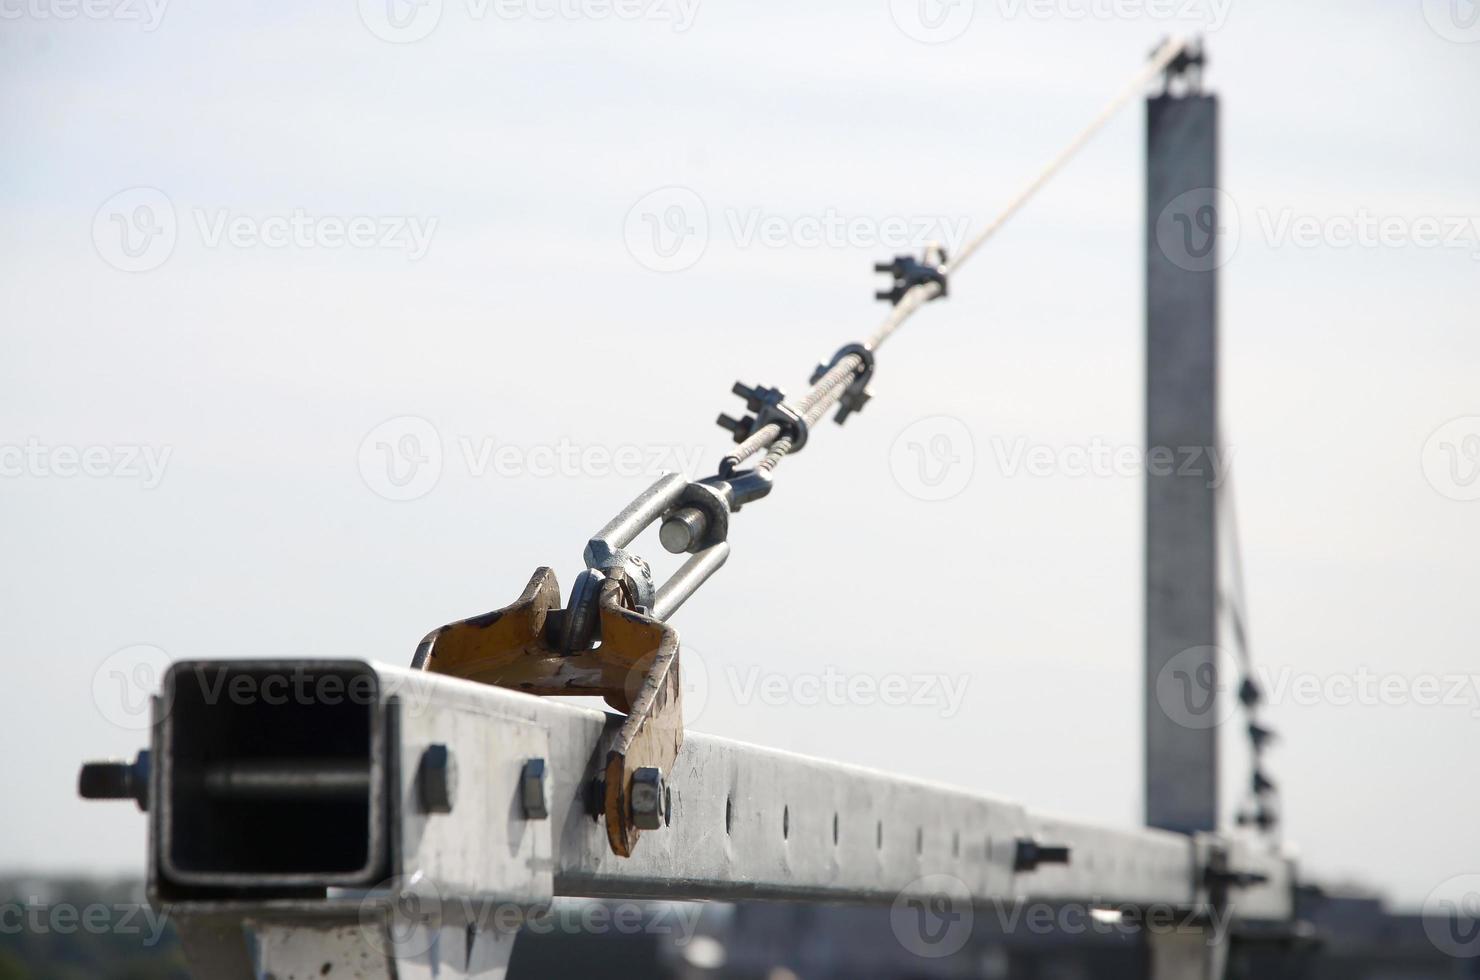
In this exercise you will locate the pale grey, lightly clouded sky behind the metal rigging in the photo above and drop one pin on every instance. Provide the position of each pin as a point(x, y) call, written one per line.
point(502, 294)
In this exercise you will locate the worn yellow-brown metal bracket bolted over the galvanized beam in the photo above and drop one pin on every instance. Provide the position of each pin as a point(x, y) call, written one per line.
point(634, 667)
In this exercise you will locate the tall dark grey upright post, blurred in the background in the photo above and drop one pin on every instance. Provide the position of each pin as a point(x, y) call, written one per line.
point(1182, 430)
